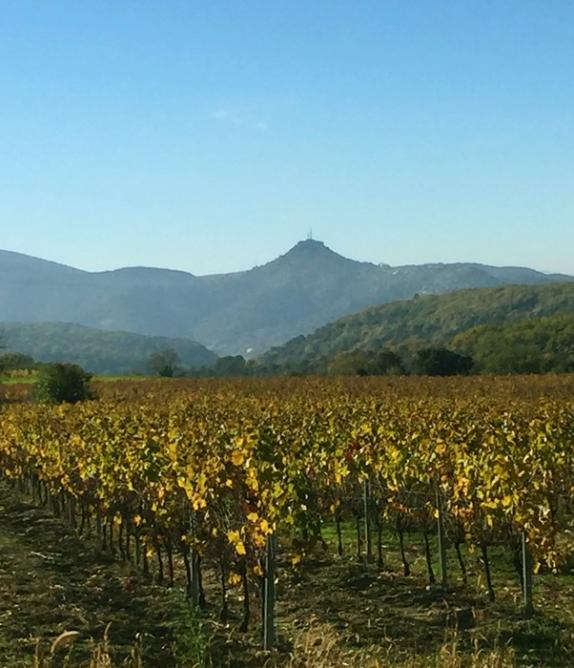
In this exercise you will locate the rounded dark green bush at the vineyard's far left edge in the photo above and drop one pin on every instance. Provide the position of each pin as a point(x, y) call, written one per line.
point(58, 383)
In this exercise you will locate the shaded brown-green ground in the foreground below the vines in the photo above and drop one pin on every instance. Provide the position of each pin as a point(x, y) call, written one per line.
point(52, 581)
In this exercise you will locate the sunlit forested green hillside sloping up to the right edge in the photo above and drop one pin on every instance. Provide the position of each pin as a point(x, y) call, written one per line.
point(432, 320)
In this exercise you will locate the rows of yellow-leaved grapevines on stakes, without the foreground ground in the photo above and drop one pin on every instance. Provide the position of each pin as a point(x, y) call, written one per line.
point(237, 488)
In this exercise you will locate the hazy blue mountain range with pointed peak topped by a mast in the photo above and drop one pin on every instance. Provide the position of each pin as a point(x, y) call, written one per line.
point(242, 312)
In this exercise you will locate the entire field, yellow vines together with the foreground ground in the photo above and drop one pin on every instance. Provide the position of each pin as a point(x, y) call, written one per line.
point(335, 522)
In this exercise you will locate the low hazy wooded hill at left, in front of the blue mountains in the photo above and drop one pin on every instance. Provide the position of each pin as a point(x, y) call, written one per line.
point(98, 351)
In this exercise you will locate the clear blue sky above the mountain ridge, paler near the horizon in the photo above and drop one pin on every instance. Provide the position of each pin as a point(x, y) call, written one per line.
point(210, 135)
